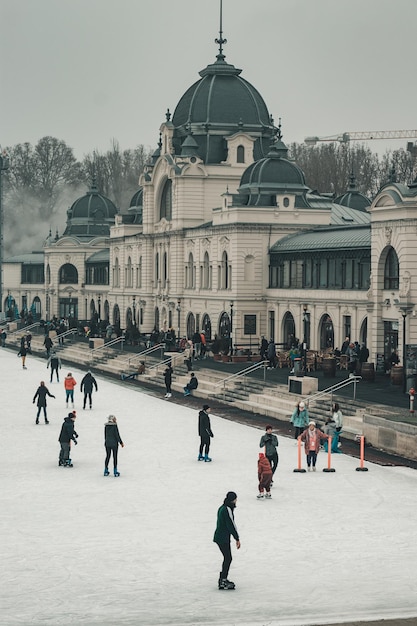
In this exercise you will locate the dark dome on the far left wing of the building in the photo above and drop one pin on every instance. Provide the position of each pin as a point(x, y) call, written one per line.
point(91, 215)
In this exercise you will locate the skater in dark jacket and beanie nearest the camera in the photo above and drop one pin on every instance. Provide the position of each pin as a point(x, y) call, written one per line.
point(225, 528)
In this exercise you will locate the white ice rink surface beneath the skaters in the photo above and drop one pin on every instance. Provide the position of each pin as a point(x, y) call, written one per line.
point(81, 549)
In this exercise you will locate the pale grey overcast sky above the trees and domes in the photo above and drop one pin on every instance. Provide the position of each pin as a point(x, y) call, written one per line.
point(87, 71)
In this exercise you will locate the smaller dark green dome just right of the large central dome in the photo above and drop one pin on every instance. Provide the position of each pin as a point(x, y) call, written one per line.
point(274, 174)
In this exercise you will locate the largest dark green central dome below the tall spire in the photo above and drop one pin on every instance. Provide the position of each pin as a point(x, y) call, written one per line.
point(219, 105)
